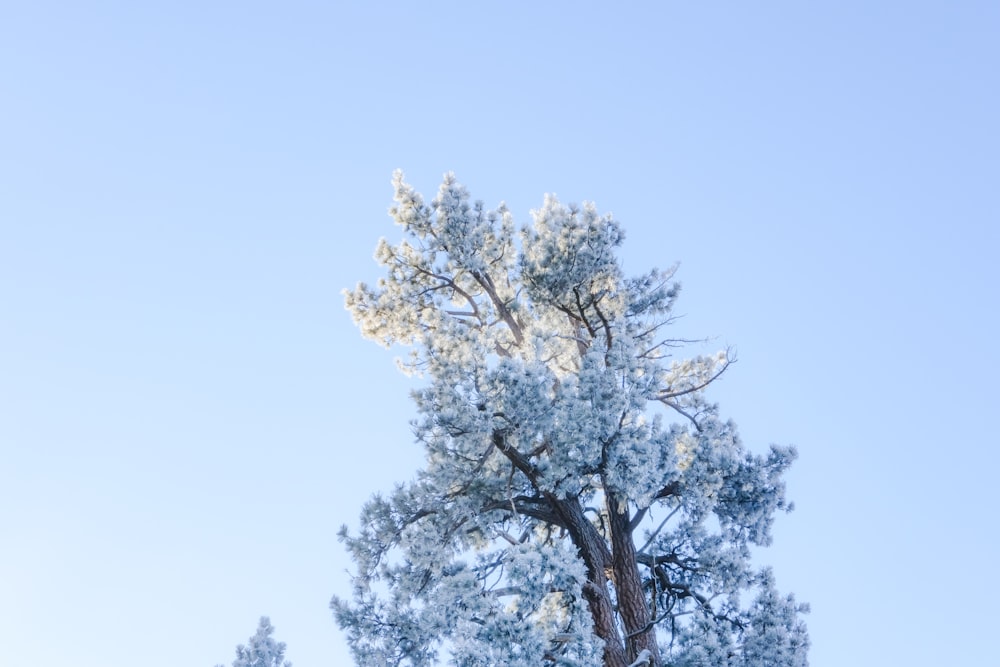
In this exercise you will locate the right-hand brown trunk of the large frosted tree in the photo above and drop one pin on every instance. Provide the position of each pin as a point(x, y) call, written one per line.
point(639, 632)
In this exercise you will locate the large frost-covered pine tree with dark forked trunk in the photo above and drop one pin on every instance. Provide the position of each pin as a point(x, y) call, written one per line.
point(562, 518)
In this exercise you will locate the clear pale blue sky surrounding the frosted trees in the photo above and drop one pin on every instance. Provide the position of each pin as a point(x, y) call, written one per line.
point(187, 414)
